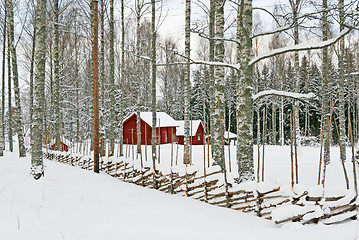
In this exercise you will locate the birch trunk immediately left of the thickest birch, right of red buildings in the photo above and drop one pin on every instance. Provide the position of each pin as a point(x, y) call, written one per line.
point(218, 116)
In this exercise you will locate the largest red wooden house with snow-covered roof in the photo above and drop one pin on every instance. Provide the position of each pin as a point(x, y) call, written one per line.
point(165, 128)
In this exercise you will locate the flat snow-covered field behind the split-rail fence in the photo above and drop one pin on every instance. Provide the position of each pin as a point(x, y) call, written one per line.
point(277, 163)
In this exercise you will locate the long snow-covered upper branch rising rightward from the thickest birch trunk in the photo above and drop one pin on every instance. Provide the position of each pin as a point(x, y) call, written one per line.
point(300, 47)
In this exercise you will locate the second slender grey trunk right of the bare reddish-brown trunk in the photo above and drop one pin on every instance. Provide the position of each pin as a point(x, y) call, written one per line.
point(113, 123)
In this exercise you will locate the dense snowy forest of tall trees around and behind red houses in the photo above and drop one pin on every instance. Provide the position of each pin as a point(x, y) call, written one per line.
point(260, 72)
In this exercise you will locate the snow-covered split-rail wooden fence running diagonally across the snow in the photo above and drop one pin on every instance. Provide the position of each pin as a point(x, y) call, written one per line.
point(264, 199)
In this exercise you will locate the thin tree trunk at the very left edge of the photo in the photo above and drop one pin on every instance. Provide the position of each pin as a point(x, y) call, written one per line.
point(3, 84)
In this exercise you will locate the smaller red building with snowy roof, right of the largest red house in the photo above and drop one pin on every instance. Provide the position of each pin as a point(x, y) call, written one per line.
point(196, 135)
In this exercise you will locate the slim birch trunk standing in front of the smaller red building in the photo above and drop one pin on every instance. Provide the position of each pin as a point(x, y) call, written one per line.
point(187, 82)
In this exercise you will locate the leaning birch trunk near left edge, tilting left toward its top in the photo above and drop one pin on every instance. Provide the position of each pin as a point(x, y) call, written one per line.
point(17, 109)
